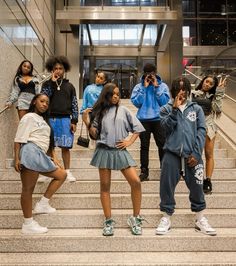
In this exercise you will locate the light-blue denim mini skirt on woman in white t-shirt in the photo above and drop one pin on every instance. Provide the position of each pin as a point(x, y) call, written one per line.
point(34, 158)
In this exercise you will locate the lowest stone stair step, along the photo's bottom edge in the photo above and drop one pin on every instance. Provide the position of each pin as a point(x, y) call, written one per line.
point(119, 258)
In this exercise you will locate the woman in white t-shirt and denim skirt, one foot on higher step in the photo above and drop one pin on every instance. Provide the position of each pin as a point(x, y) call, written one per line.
point(32, 144)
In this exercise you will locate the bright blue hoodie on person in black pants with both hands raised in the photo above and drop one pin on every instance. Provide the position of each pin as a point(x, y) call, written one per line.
point(149, 100)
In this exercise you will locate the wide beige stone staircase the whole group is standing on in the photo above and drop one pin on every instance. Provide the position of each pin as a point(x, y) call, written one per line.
point(75, 235)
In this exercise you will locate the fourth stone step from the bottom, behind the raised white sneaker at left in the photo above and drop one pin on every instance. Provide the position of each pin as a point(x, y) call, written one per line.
point(91, 201)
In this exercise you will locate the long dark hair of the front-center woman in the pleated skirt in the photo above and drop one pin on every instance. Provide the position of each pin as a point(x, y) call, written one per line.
point(103, 104)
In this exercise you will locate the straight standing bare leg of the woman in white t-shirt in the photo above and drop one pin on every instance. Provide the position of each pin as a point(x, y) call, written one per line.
point(28, 179)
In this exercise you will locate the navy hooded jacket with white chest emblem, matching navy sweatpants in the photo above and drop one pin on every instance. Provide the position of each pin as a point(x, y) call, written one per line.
point(185, 132)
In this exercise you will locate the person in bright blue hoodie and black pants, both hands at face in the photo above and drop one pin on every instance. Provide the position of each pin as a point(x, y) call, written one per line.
point(148, 96)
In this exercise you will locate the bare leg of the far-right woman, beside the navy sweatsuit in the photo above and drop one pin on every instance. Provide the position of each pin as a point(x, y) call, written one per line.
point(209, 154)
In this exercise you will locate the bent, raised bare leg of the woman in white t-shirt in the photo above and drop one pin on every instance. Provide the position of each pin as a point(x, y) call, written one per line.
point(59, 176)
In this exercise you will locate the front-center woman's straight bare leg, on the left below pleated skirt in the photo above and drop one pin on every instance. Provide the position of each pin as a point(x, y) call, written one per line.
point(105, 185)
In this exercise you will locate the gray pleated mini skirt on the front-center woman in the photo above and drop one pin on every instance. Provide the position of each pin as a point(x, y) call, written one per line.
point(111, 158)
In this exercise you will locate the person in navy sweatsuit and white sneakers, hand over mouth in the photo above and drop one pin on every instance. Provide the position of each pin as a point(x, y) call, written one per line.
point(184, 124)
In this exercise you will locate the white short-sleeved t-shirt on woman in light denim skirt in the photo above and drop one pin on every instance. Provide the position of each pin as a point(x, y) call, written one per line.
point(33, 128)
